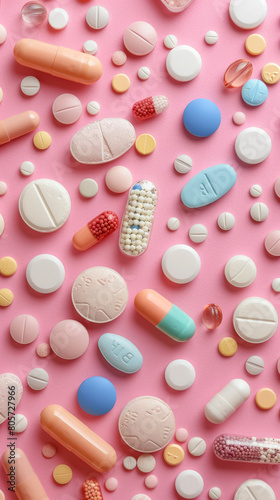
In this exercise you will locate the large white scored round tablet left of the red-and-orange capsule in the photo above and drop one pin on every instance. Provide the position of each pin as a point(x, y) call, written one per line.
point(44, 205)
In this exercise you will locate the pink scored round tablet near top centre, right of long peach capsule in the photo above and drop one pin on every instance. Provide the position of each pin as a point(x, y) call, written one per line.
point(140, 38)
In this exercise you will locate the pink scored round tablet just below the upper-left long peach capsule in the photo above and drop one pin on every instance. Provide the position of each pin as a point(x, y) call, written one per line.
point(67, 108)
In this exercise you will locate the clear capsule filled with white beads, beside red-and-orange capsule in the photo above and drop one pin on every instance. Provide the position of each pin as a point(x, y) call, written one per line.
point(138, 218)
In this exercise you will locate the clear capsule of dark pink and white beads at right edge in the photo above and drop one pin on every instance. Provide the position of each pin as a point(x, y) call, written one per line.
point(247, 449)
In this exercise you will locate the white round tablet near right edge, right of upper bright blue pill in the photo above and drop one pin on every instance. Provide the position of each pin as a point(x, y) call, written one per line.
point(253, 145)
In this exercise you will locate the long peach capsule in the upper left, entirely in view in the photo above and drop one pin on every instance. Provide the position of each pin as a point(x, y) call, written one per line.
point(58, 61)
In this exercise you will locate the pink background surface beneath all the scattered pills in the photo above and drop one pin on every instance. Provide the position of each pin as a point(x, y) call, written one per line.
point(212, 370)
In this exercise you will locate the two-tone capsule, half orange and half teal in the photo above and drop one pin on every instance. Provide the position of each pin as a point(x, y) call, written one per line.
point(164, 315)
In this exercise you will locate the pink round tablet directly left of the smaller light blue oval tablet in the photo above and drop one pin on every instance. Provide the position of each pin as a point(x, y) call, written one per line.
point(69, 339)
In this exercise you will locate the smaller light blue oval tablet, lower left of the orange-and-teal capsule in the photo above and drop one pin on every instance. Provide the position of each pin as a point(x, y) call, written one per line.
point(120, 353)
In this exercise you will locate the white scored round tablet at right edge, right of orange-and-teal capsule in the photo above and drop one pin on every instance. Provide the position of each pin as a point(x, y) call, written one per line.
point(255, 320)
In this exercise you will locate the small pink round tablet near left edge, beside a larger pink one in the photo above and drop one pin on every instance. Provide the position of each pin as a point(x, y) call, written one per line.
point(24, 329)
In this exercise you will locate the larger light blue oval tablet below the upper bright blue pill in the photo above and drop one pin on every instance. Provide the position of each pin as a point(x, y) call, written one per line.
point(208, 186)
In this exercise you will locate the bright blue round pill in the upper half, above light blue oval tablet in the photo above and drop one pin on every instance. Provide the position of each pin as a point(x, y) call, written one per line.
point(202, 117)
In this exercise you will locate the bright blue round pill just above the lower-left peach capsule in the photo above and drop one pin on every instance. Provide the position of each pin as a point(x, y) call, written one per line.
point(97, 395)
